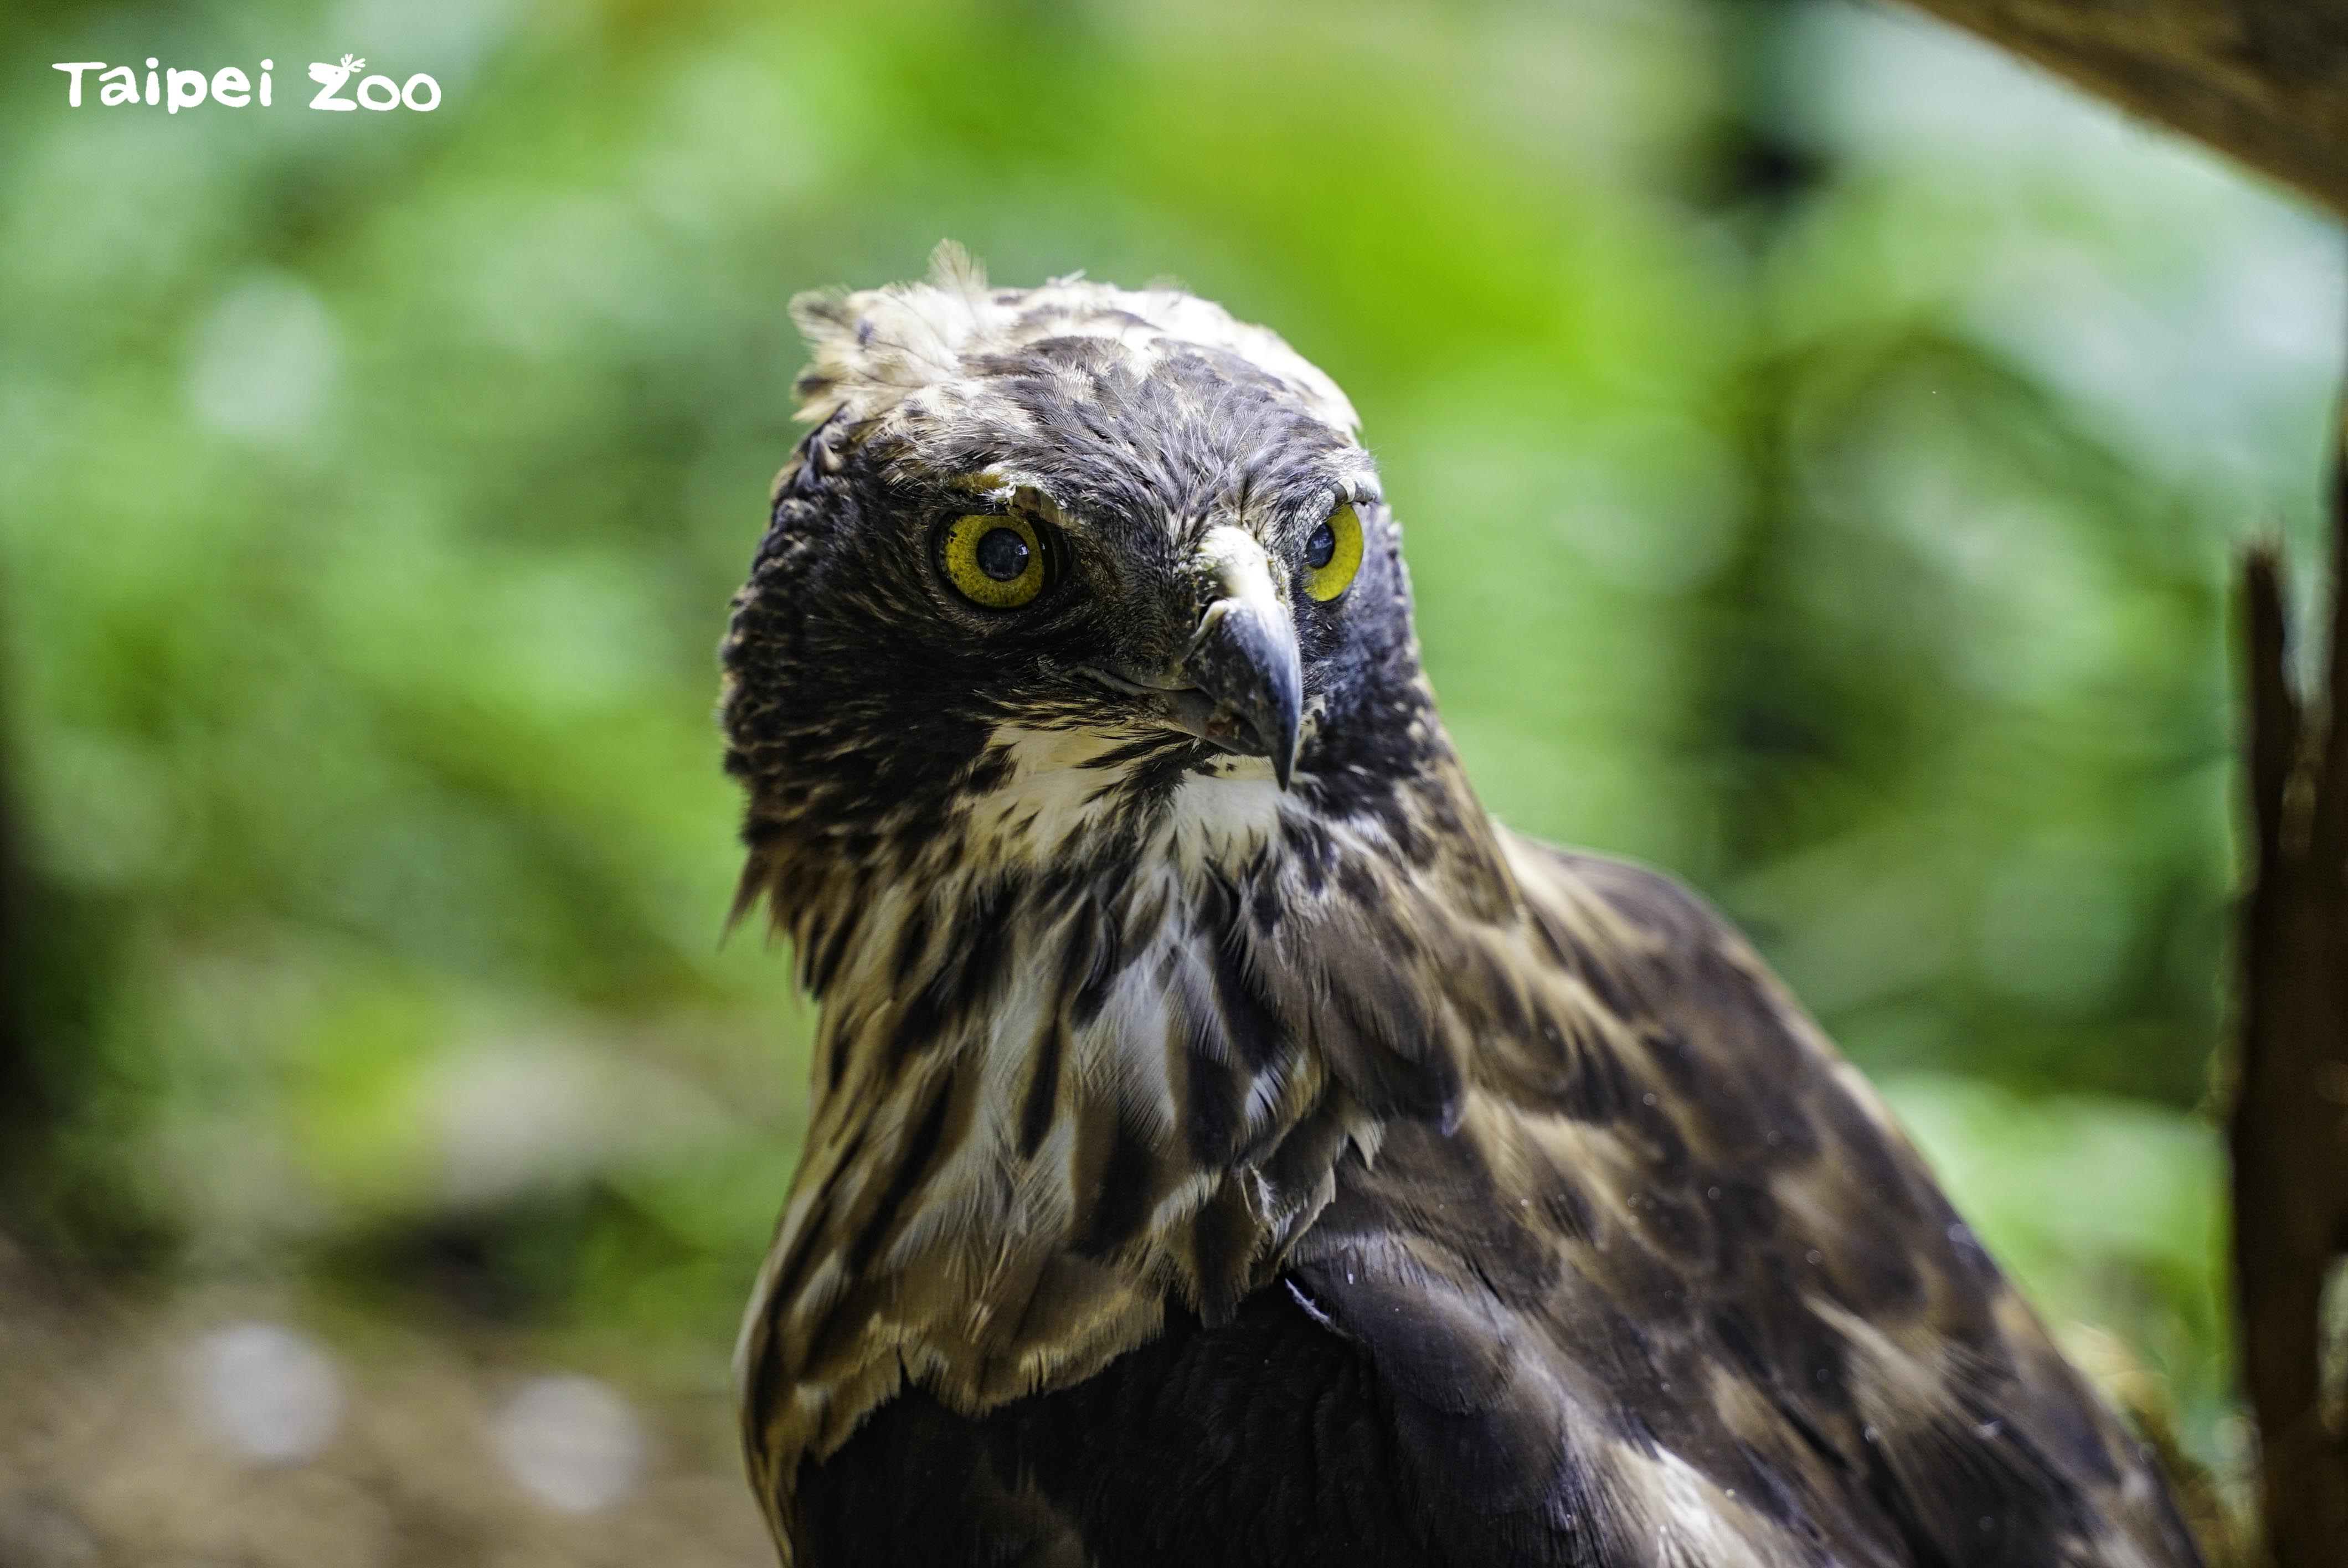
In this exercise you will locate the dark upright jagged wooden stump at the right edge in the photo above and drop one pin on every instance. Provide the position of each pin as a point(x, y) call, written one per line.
point(2290, 1114)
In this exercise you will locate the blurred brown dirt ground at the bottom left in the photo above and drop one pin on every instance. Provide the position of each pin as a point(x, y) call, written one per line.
point(203, 1435)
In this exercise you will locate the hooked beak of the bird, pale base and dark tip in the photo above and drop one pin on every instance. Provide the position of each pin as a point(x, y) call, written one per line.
point(1243, 656)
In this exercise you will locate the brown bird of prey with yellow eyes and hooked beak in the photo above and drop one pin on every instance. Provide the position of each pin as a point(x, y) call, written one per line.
point(1227, 1142)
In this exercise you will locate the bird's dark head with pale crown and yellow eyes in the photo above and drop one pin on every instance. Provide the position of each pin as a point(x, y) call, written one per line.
point(1062, 574)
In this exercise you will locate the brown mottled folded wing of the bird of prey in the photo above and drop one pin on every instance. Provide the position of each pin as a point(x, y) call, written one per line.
point(1675, 1290)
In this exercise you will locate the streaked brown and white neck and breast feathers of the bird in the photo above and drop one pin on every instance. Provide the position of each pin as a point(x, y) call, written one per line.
point(1079, 1062)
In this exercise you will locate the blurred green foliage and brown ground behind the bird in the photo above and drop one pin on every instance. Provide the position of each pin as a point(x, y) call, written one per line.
point(1821, 447)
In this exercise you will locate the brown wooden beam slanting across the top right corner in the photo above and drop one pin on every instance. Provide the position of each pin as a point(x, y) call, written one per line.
point(2260, 79)
